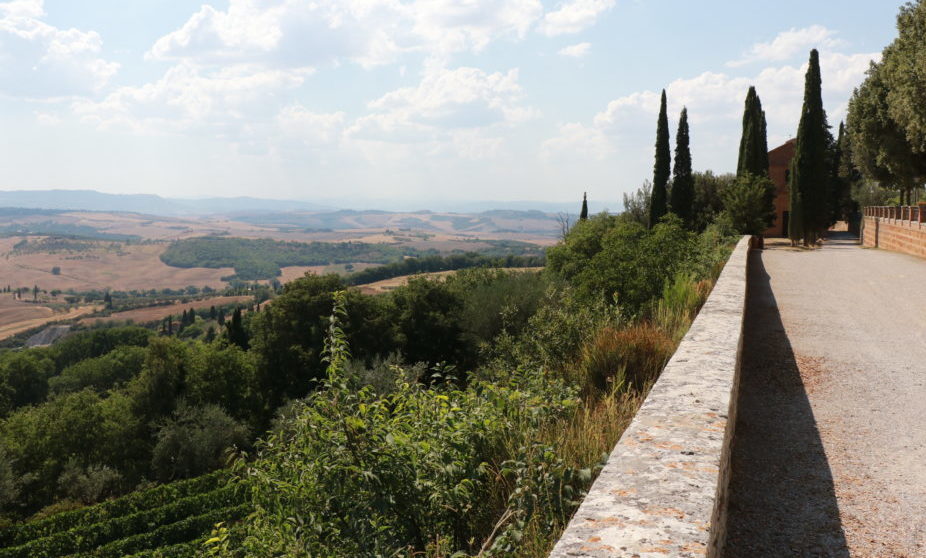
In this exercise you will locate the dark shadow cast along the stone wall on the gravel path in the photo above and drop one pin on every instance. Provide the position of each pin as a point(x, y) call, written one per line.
point(782, 499)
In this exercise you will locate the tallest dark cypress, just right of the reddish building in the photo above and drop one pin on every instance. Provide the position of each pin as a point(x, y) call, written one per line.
point(809, 168)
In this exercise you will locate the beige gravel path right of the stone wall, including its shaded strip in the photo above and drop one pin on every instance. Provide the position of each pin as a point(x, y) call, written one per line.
point(830, 453)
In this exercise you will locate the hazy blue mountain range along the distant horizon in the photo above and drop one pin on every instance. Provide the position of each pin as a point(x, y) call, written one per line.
point(91, 200)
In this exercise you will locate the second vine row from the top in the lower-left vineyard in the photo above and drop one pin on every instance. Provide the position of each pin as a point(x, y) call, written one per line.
point(88, 537)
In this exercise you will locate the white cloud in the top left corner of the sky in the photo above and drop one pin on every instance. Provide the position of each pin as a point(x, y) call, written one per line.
point(38, 60)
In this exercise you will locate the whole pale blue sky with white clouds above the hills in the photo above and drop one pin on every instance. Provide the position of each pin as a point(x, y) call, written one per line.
point(411, 101)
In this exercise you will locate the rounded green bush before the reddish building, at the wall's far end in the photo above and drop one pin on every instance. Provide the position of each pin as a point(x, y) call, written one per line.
point(748, 203)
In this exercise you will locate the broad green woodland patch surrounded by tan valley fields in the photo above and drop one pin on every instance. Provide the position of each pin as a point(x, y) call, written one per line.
point(262, 258)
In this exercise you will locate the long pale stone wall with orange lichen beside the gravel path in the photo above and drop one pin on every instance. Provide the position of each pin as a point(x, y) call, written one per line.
point(663, 491)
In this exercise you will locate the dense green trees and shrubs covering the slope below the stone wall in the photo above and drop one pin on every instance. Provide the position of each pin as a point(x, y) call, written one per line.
point(458, 401)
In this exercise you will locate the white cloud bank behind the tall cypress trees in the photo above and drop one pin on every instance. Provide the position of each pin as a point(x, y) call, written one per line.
point(715, 104)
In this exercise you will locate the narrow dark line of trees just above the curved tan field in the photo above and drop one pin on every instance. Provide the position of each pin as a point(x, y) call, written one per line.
point(430, 264)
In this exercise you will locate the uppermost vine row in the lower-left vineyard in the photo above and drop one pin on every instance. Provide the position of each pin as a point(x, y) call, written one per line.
point(126, 505)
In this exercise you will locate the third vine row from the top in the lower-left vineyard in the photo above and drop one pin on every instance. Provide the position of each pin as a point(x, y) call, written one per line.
point(186, 530)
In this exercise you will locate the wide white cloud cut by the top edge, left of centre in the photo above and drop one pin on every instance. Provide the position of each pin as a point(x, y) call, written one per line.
point(289, 33)
